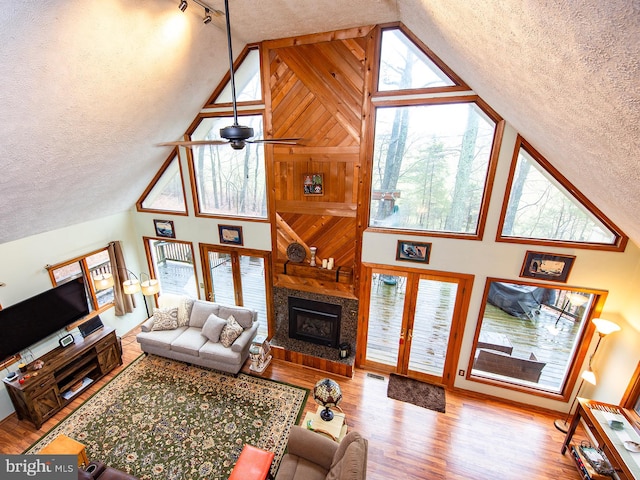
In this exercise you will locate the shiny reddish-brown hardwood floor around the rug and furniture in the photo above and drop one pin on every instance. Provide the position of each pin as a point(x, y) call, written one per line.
point(476, 438)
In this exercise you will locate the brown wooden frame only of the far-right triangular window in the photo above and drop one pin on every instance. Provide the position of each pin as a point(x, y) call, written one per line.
point(621, 239)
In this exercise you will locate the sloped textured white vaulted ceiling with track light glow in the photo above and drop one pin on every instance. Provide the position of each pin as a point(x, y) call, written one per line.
point(88, 88)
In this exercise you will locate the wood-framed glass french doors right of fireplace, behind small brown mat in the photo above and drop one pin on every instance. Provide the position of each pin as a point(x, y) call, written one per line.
point(415, 323)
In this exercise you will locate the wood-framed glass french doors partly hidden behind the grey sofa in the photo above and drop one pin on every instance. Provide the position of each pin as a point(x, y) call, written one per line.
point(235, 276)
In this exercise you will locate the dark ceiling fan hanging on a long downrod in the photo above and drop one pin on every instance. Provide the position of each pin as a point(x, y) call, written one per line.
point(235, 135)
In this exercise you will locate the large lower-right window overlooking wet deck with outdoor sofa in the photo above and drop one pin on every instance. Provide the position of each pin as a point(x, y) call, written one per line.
point(532, 336)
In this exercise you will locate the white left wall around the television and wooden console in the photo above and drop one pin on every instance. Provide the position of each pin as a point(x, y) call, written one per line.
point(23, 271)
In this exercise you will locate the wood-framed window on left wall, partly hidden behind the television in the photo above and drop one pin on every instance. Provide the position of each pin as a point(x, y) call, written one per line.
point(86, 267)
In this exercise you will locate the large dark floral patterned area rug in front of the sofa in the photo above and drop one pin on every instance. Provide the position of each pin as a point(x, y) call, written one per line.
point(162, 419)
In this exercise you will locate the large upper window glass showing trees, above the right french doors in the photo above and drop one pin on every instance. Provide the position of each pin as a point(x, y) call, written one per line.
point(430, 167)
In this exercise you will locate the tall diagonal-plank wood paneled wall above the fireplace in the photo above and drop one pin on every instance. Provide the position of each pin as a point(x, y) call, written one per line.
point(316, 89)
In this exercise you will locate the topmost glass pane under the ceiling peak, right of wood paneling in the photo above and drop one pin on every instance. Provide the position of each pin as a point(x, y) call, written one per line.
point(404, 66)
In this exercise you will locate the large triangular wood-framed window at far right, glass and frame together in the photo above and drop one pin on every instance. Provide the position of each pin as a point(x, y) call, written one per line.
point(542, 206)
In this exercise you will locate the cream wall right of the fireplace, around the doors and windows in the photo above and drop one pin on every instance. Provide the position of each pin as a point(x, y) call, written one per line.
point(614, 272)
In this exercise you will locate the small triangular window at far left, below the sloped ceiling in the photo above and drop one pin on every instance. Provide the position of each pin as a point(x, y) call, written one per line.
point(165, 192)
